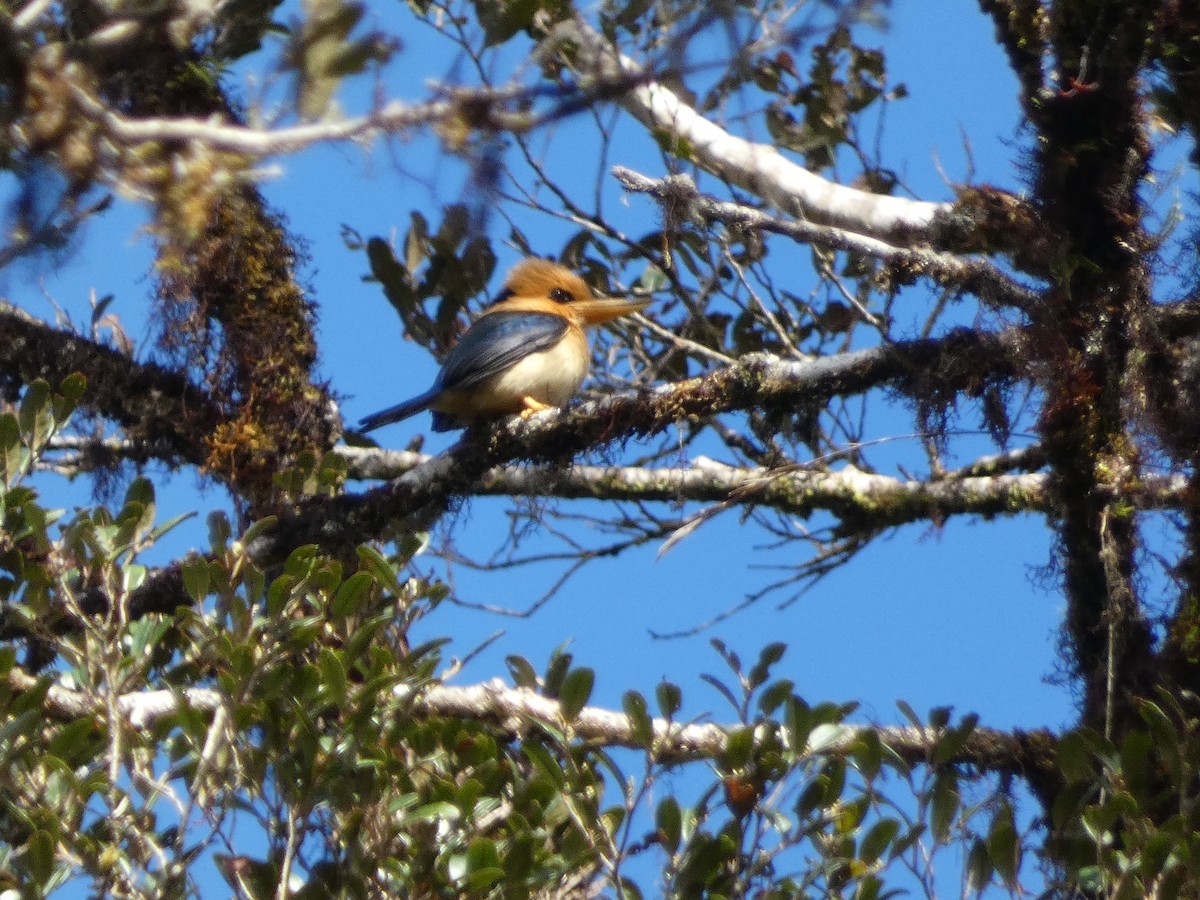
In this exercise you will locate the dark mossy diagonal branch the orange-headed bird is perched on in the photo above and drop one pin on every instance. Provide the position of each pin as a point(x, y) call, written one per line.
point(415, 501)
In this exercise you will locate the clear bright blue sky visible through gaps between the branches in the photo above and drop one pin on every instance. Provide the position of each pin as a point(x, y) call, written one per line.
point(952, 616)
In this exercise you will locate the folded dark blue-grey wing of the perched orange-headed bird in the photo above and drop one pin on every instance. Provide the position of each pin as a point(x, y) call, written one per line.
point(495, 343)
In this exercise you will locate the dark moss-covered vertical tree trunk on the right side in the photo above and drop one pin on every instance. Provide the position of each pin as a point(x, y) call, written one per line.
point(1089, 338)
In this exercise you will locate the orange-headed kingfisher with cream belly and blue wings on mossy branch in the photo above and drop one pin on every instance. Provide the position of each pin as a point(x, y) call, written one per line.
point(527, 351)
